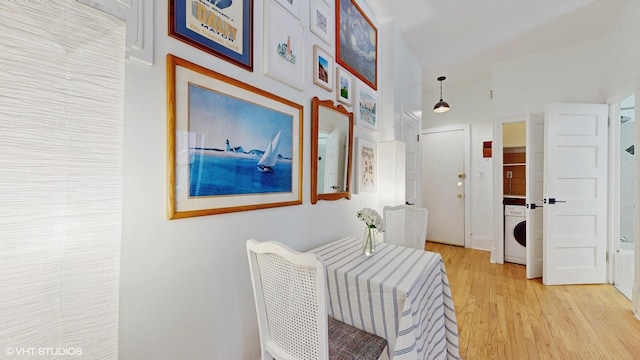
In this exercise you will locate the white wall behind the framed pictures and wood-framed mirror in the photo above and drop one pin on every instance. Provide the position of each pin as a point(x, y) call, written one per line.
point(185, 289)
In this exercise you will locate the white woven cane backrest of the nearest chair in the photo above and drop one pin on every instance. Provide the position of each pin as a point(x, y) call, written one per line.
point(290, 296)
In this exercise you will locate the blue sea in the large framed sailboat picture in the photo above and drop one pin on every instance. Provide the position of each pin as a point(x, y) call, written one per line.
point(221, 175)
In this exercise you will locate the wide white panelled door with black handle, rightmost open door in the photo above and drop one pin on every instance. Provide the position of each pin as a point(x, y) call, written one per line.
point(575, 194)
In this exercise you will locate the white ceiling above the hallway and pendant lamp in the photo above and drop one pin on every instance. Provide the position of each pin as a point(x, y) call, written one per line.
point(462, 39)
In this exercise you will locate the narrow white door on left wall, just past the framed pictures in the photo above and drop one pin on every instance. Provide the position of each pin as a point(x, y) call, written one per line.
point(410, 132)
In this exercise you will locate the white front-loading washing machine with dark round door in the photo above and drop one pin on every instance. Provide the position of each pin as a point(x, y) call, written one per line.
point(515, 234)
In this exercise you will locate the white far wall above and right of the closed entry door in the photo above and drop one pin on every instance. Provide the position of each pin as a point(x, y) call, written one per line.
point(470, 104)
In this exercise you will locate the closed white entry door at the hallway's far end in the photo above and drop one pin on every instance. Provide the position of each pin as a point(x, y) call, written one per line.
point(444, 180)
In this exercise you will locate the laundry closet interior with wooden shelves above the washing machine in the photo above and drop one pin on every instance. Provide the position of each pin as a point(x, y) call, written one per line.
point(514, 182)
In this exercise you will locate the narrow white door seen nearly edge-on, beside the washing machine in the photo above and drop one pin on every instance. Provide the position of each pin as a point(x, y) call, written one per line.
point(535, 180)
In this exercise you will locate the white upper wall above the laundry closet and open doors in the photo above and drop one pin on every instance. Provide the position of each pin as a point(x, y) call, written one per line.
point(597, 70)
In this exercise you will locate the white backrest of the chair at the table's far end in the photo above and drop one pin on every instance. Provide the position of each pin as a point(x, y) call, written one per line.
point(405, 225)
